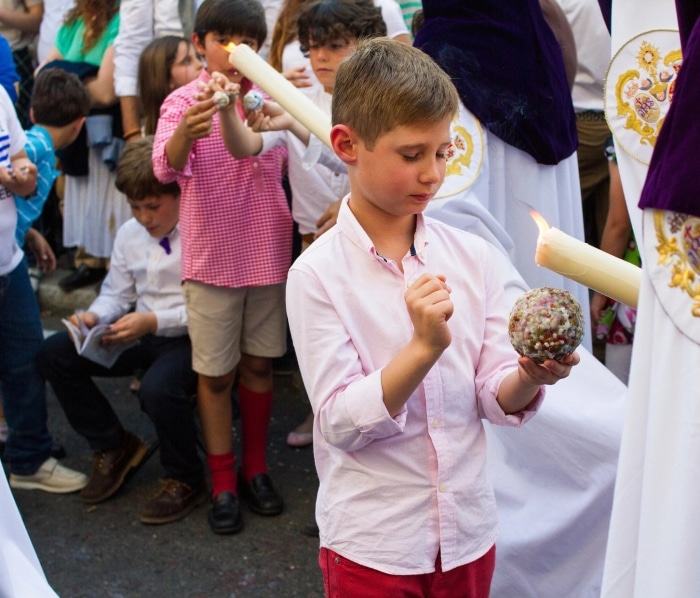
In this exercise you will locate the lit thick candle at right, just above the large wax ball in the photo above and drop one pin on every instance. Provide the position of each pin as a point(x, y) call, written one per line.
point(600, 271)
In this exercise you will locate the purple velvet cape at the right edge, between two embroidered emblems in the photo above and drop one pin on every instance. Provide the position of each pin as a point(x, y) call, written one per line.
point(673, 179)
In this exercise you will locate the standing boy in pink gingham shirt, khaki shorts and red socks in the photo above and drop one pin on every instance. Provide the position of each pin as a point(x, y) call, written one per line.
point(236, 249)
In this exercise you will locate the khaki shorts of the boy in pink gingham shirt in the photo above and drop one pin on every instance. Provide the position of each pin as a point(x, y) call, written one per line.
point(223, 323)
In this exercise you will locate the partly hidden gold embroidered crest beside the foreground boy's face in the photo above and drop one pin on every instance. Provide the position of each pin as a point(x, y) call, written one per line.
point(465, 154)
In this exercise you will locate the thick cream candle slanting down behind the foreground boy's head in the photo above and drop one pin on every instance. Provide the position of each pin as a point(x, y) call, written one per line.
point(254, 68)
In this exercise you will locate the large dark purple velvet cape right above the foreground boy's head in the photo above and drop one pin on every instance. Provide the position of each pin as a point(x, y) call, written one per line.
point(508, 68)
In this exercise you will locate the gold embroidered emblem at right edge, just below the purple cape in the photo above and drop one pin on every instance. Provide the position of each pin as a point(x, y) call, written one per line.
point(678, 237)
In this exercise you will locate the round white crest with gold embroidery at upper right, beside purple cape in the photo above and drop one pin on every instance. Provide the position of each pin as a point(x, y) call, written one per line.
point(639, 89)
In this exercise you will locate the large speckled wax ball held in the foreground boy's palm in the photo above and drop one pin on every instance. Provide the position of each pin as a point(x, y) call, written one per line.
point(546, 323)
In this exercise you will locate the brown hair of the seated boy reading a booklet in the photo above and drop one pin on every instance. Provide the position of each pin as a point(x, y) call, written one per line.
point(135, 177)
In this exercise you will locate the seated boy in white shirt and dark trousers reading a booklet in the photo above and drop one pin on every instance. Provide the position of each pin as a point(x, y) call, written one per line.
point(144, 276)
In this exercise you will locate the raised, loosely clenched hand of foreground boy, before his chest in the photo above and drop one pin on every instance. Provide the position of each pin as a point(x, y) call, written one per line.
point(430, 307)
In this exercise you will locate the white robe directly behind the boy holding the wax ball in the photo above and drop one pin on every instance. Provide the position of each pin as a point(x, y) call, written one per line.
point(554, 477)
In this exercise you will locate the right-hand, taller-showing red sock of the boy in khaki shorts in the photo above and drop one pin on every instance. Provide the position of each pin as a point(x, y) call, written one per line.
point(255, 420)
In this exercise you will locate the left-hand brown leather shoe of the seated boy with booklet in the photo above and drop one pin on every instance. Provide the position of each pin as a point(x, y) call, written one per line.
point(110, 468)
